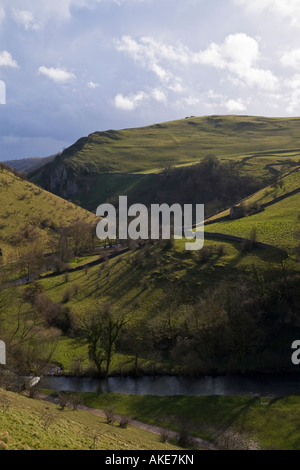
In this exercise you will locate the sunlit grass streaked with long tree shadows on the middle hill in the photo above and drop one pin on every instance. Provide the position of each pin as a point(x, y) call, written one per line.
point(139, 290)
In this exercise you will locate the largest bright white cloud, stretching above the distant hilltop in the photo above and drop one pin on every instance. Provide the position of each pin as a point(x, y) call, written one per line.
point(238, 54)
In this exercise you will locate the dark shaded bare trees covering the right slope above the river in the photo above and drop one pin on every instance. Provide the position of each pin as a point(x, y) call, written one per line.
point(233, 327)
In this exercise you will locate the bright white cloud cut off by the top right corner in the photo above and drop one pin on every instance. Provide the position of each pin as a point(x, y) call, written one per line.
point(288, 9)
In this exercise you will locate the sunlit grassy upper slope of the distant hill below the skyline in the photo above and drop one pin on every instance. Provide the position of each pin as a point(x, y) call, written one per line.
point(185, 141)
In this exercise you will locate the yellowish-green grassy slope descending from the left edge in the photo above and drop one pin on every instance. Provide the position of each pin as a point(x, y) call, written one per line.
point(25, 205)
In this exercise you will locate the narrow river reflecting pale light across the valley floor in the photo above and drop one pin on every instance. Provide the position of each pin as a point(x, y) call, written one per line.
point(268, 386)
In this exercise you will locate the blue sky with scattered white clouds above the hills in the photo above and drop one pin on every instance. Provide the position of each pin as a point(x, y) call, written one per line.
point(72, 67)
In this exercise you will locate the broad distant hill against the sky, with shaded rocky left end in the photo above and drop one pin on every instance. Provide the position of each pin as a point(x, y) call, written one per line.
point(104, 165)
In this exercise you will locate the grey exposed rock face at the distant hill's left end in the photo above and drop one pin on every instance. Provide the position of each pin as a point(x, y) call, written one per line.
point(62, 181)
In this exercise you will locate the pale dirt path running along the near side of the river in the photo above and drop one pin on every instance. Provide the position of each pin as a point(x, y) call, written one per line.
point(201, 443)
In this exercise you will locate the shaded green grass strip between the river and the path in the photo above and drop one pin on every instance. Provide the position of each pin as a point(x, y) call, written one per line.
point(270, 423)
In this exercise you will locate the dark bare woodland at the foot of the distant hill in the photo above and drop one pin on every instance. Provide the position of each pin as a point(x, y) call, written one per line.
point(212, 182)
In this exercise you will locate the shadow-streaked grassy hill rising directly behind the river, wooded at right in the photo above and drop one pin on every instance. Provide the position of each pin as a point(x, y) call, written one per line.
point(212, 311)
